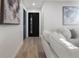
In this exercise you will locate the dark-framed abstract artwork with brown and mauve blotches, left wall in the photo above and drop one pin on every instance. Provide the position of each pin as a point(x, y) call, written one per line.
point(10, 12)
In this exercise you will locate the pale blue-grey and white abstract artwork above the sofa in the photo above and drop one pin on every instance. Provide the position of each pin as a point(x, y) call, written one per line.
point(71, 15)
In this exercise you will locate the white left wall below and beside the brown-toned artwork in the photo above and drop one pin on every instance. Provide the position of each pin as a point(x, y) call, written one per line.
point(11, 38)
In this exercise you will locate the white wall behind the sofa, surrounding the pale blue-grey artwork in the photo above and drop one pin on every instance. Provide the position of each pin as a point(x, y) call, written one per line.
point(53, 14)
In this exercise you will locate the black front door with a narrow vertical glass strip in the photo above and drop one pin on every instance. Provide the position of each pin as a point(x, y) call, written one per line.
point(33, 24)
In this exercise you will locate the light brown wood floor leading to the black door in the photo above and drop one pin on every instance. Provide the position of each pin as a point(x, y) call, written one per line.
point(32, 48)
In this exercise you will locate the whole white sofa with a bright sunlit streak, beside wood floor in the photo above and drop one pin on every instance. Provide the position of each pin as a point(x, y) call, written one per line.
point(55, 45)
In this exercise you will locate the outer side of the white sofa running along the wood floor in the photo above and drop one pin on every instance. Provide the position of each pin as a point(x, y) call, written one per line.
point(46, 47)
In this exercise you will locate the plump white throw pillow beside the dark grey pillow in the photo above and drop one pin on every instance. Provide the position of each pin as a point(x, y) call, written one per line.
point(65, 31)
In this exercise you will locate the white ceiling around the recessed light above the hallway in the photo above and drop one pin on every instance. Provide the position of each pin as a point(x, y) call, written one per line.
point(39, 3)
